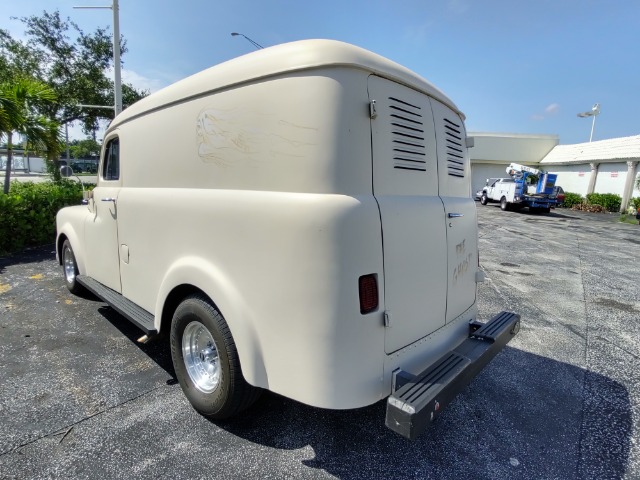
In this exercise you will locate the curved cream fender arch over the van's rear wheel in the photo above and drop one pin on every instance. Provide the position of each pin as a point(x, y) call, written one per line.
point(200, 273)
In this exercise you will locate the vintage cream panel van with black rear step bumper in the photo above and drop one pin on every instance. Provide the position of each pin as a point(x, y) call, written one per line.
point(298, 219)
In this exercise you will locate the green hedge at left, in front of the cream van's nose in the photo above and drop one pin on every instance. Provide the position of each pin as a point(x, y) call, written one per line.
point(28, 212)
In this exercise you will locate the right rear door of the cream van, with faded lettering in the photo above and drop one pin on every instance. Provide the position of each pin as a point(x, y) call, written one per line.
point(454, 173)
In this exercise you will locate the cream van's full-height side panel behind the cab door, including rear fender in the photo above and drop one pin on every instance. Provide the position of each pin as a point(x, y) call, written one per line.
point(222, 185)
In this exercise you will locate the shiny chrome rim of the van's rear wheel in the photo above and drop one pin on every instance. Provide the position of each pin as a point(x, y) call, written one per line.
point(200, 355)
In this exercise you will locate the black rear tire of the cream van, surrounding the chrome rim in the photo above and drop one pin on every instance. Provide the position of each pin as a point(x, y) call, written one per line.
point(230, 393)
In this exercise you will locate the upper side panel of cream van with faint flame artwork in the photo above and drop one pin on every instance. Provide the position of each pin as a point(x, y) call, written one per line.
point(295, 133)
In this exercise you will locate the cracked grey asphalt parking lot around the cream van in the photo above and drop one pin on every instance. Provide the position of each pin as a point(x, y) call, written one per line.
point(79, 398)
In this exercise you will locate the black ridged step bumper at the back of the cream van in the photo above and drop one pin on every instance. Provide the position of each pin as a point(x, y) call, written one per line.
point(412, 407)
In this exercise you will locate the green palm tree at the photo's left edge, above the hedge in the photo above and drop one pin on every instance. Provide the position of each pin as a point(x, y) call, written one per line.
point(19, 102)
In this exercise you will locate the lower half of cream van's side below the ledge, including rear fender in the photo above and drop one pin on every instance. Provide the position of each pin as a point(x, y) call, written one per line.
point(292, 267)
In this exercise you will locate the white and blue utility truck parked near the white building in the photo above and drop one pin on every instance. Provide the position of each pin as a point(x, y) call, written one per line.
point(522, 190)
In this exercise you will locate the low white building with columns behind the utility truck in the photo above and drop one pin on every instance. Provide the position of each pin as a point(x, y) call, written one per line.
point(605, 166)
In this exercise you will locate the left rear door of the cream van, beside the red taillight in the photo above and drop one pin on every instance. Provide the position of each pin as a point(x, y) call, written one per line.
point(405, 185)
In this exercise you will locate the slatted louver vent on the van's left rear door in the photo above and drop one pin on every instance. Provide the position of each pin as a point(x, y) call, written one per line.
point(407, 136)
